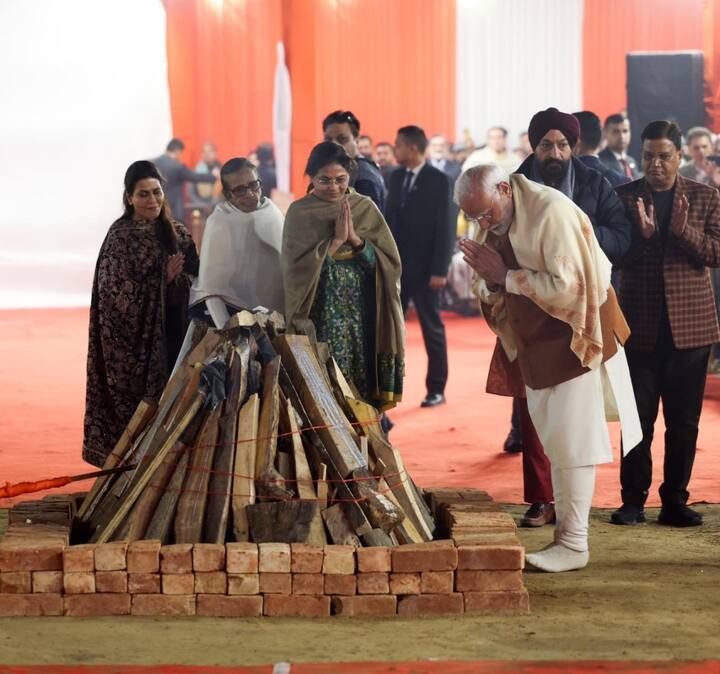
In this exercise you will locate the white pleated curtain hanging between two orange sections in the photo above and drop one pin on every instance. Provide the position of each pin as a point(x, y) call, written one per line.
point(515, 57)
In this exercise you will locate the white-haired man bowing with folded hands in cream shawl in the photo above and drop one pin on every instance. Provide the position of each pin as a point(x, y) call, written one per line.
point(545, 287)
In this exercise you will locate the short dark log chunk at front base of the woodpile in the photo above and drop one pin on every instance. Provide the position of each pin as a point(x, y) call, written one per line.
point(281, 521)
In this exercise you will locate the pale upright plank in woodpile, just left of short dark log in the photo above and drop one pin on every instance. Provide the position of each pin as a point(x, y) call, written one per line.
point(243, 479)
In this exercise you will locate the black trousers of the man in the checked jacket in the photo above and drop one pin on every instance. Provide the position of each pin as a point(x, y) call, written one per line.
point(677, 377)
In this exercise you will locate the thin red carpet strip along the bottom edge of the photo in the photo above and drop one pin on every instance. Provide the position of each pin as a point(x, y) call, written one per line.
point(440, 667)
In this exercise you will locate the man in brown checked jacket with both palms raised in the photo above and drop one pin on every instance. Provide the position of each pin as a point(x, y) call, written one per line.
point(666, 295)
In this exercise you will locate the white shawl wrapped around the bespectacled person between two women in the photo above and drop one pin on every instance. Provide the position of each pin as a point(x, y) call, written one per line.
point(240, 261)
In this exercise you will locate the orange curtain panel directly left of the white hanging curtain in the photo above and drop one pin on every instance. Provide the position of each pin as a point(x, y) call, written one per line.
point(391, 63)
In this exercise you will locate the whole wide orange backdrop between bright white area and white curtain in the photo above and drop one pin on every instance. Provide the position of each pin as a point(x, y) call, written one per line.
point(391, 63)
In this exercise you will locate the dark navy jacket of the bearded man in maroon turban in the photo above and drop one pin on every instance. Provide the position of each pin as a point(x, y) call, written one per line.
point(594, 195)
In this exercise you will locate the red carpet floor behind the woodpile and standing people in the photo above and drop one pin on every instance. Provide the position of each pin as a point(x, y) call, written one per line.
point(42, 370)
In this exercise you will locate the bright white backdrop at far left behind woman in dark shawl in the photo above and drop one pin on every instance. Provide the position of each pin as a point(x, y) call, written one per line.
point(84, 94)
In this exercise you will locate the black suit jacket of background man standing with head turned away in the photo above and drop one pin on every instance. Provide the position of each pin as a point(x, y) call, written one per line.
point(423, 229)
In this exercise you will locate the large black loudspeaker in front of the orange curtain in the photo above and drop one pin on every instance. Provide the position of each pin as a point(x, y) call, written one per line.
point(664, 85)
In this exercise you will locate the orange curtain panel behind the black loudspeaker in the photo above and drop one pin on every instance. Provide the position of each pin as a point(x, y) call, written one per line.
point(612, 28)
